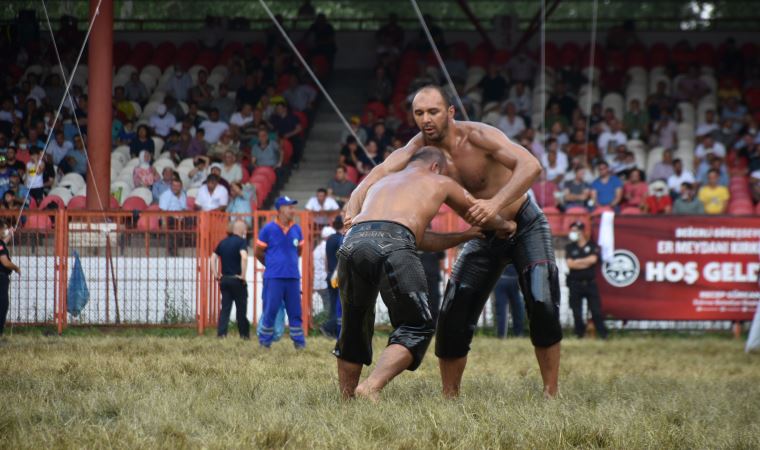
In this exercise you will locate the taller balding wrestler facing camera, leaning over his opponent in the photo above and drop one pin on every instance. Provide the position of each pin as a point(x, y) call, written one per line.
point(498, 173)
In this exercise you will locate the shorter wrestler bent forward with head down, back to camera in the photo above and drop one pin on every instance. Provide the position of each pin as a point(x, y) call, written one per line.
point(380, 254)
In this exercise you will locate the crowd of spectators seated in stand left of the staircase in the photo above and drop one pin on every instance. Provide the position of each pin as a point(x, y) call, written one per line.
point(201, 128)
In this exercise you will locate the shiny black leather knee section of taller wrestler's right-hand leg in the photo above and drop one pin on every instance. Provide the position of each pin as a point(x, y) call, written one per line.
point(540, 284)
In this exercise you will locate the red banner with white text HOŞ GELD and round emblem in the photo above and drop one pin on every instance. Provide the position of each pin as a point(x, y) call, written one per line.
point(682, 268)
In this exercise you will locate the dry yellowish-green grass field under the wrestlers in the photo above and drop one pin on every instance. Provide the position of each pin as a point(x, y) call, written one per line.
point(145, 391)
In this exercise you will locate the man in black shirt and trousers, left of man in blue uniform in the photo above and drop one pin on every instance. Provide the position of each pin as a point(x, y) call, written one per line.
point(233, 253)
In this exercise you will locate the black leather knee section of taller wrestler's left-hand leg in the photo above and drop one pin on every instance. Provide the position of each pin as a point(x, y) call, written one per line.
point(454, 331)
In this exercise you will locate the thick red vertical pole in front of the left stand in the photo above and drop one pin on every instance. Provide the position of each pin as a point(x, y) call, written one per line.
point(100, 62)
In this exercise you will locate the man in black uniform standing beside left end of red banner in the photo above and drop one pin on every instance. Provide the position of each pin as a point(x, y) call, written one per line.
point(582, 257)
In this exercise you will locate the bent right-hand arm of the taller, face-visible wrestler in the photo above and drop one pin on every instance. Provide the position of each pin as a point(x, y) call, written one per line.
point(524, 166)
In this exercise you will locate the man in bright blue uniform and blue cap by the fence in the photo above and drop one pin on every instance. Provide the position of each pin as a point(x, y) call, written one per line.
point(278, 247)
